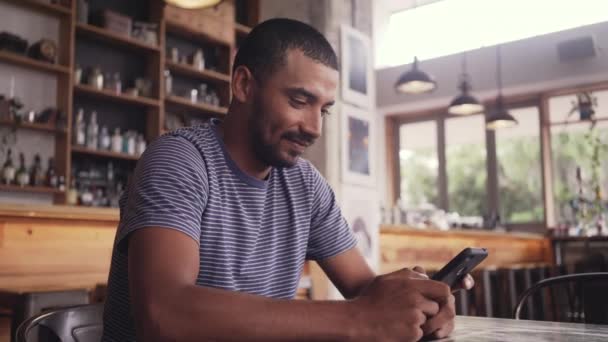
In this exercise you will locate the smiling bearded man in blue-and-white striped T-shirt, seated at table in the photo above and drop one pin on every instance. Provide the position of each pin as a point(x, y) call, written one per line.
point(219, 220)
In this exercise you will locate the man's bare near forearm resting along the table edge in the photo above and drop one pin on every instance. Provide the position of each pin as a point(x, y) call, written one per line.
point(205, 314)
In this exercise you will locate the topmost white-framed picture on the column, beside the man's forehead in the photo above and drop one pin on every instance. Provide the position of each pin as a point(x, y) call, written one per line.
point(357, 68)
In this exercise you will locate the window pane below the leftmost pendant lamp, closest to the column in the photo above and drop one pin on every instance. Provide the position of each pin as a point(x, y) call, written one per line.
point(418, 163)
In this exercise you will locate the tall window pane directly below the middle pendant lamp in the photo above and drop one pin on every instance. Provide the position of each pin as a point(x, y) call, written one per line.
point(466, 164)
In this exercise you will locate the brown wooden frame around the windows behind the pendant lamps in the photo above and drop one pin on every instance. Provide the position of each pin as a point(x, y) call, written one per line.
point(538, 99)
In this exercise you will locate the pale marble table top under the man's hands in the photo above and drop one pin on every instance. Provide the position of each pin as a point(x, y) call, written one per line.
point(481, 329)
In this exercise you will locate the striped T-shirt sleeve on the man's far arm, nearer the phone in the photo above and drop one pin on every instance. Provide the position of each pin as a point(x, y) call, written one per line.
point(330, 234)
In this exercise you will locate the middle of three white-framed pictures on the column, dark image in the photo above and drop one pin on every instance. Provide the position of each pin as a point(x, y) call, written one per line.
point(358, 146)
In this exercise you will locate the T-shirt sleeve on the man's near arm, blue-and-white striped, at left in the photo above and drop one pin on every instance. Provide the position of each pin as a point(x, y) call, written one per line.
point(168, 189)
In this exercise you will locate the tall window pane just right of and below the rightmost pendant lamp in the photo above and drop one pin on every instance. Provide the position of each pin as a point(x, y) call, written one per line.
point(519, 169)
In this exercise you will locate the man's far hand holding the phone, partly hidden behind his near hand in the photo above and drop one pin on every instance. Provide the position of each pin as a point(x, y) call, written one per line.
point(442, 324)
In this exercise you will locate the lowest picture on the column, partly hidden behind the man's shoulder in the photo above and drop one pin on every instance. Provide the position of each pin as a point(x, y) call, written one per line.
point(361, 210)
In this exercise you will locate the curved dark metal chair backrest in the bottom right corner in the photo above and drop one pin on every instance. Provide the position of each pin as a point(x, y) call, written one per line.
point(582, 295)
